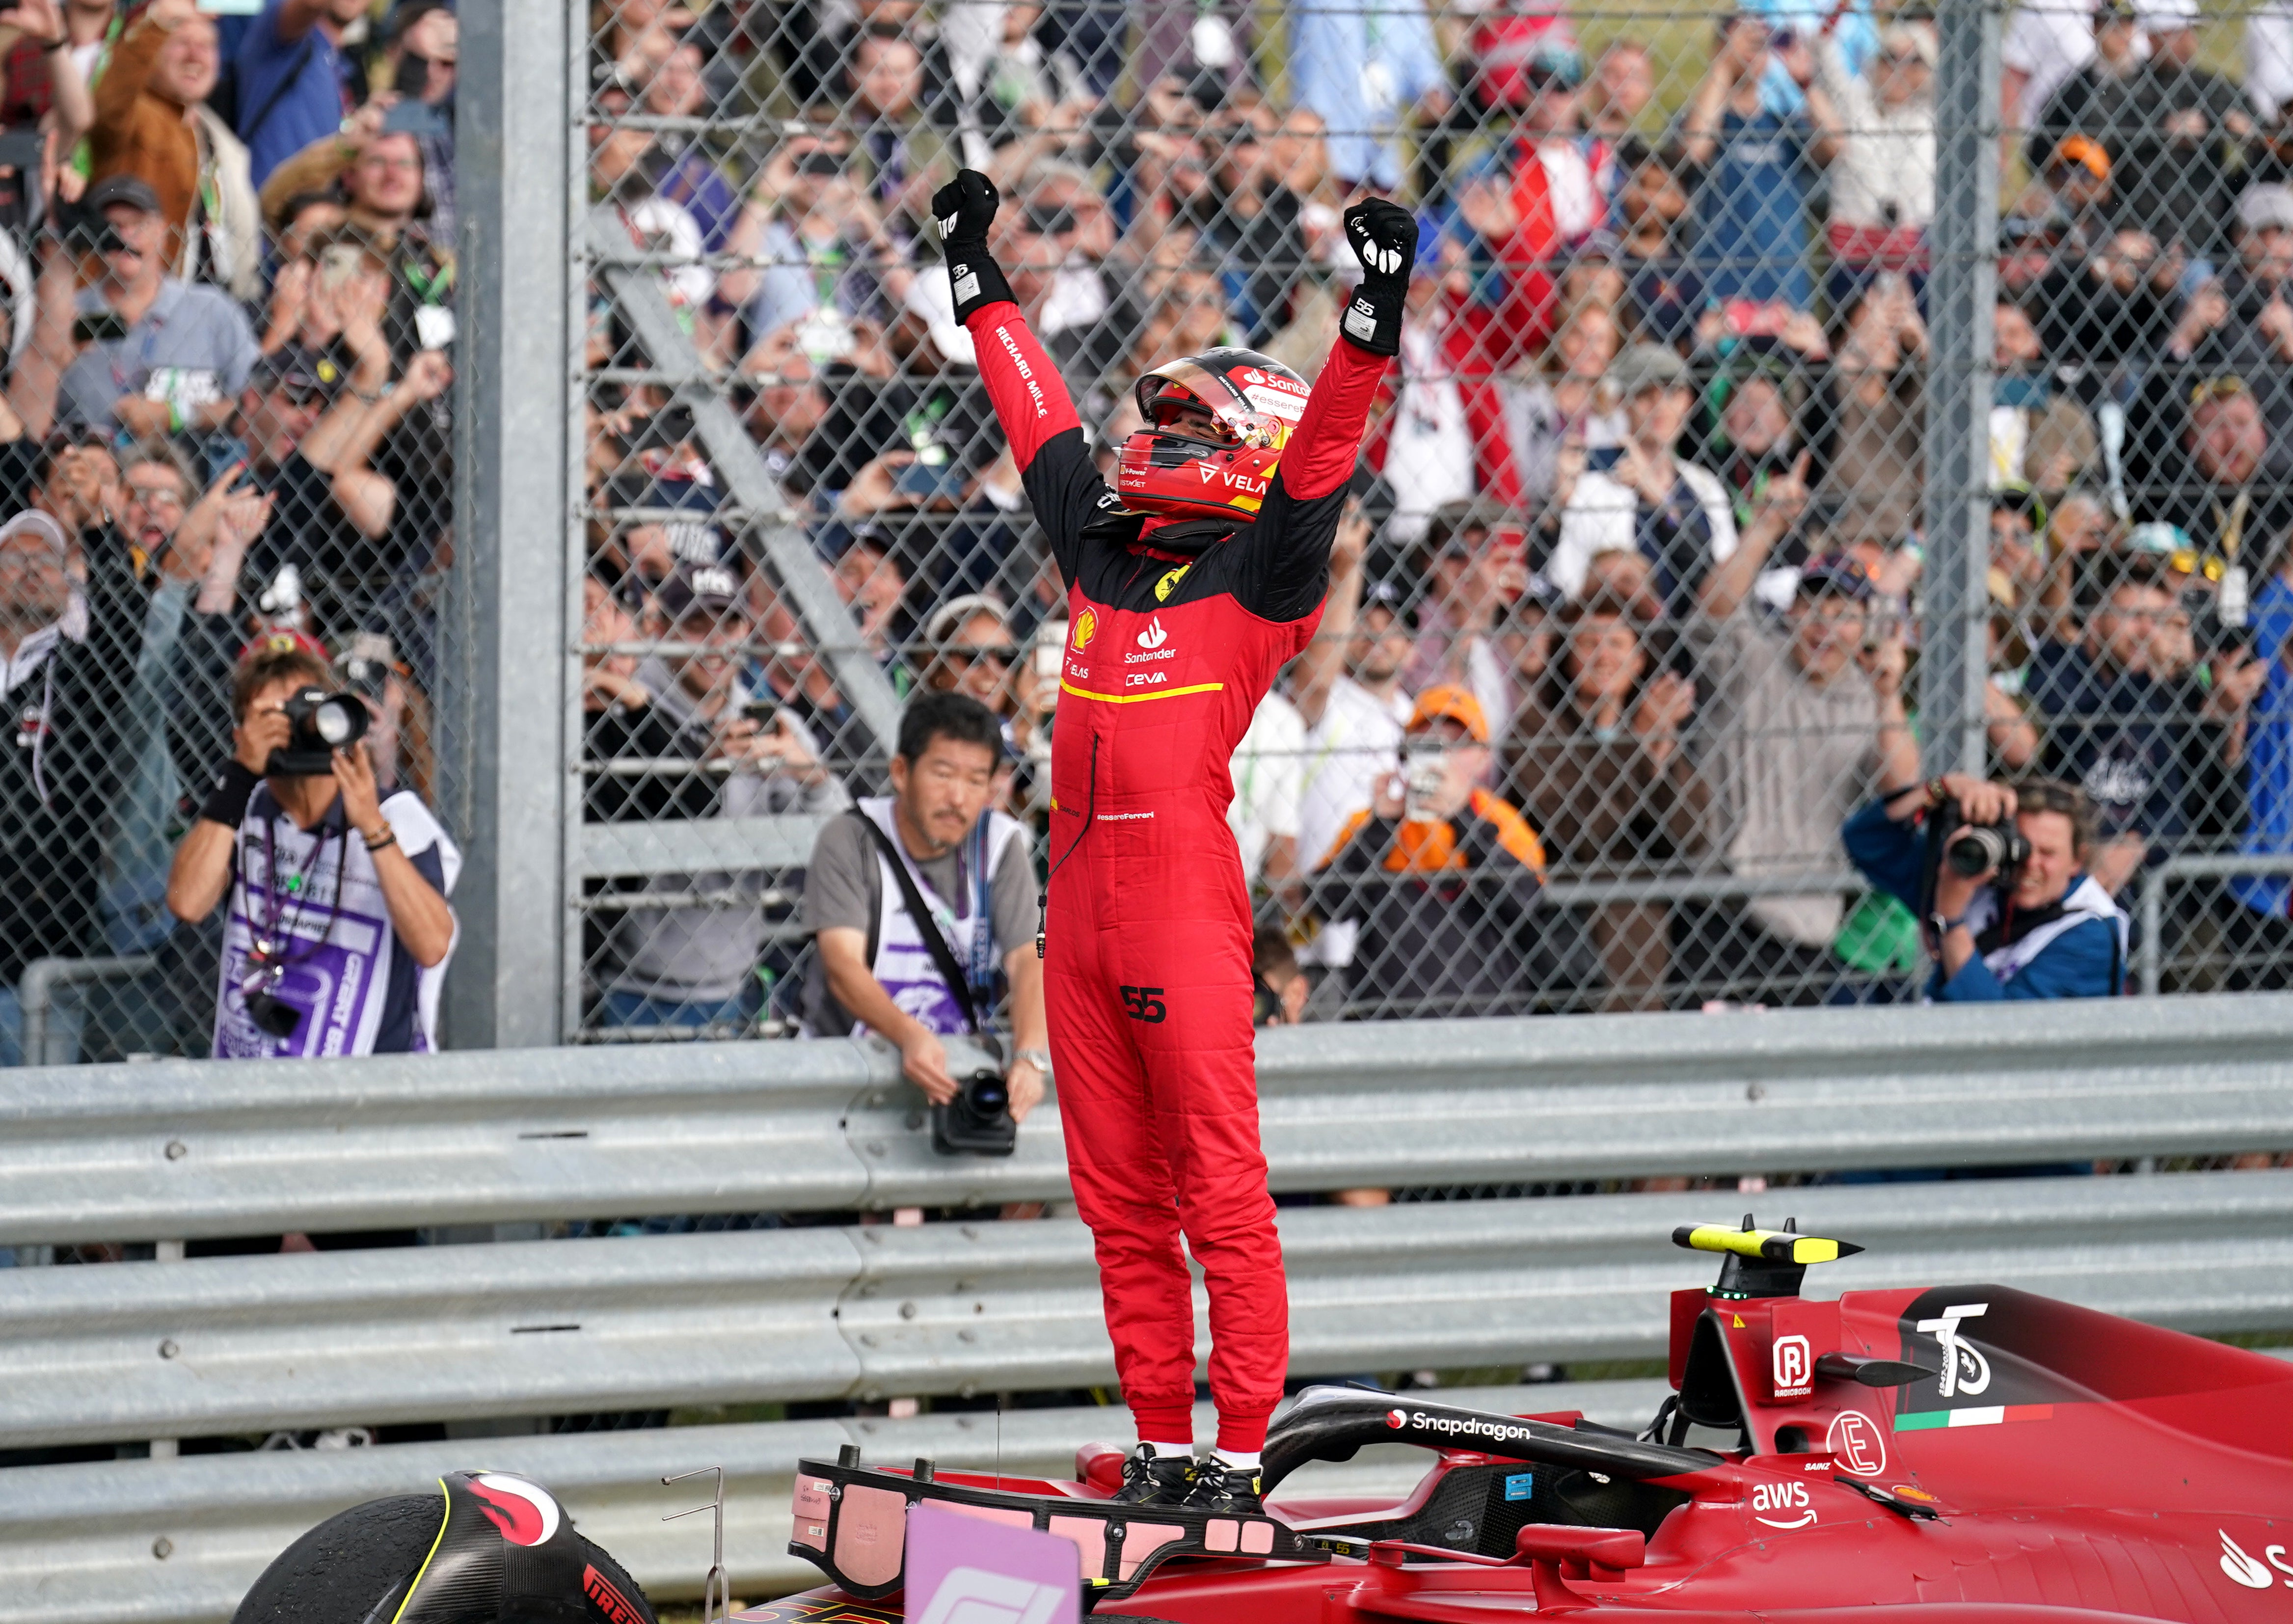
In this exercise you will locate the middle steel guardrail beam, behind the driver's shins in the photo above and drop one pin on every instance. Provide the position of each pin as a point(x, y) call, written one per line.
point(242, 1345)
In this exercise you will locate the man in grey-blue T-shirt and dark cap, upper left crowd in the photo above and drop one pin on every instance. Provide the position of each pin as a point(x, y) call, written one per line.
point(164, 357)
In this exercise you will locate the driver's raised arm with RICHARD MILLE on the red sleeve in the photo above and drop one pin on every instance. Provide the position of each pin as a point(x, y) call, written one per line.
point(1024, 384)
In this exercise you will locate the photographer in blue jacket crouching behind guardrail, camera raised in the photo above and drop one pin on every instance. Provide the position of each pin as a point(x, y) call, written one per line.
point(1998, 875)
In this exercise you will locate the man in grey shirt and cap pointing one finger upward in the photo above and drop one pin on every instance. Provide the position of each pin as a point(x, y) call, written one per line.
point(1806, 721)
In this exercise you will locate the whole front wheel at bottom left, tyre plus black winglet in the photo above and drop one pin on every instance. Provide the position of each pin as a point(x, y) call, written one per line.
point(478, 1549)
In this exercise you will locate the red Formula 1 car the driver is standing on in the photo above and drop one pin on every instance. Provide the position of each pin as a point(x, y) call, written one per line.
point(1966, 1449)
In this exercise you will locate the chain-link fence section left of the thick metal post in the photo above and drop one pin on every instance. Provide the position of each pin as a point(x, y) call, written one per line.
point(228, 270)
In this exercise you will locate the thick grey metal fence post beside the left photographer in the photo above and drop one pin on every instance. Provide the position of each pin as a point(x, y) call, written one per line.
point(512, 517)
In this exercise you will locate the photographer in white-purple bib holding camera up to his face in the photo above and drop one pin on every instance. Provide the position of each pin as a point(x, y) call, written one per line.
point(338, 923)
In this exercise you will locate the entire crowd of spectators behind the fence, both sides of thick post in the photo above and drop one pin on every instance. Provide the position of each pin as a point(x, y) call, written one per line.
point(1625, 625)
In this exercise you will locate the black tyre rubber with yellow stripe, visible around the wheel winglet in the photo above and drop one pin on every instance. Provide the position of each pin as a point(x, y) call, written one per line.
point(350, 1563)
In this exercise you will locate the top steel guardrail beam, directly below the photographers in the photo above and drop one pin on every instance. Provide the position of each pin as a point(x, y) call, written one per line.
point(185, 1150)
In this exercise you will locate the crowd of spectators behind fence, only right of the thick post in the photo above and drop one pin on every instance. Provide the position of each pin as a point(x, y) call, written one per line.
point(1627, 623)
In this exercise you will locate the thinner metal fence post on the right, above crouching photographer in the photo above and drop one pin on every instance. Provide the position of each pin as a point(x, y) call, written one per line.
point(1959, 304)
